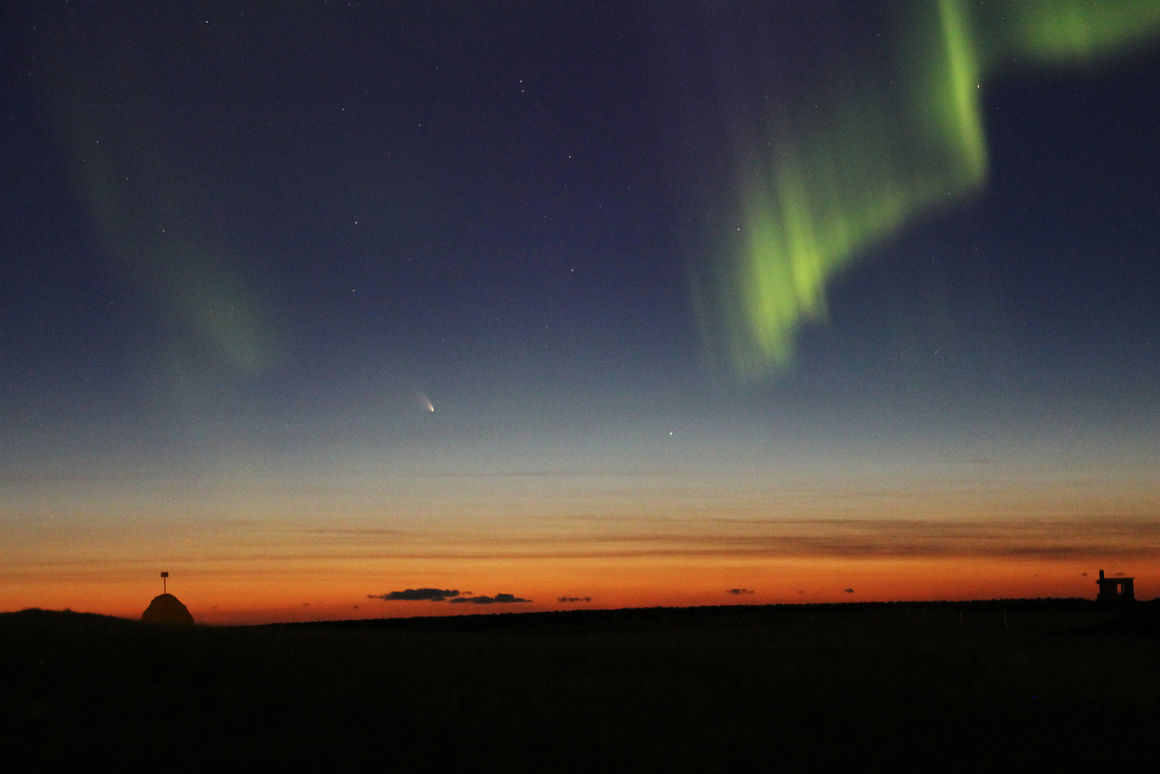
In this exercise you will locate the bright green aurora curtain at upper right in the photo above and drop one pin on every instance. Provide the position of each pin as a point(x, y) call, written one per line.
point(843, 175)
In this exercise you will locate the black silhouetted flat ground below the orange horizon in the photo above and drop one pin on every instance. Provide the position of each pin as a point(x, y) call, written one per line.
point(985, 686)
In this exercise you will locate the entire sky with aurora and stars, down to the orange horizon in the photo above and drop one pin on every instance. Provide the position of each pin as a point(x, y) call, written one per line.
point(548, 306)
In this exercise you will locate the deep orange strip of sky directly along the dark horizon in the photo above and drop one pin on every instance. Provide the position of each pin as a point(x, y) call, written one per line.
point(217, 601)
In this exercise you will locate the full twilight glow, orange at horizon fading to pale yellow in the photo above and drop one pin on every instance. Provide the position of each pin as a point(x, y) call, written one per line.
point(251, 552)
